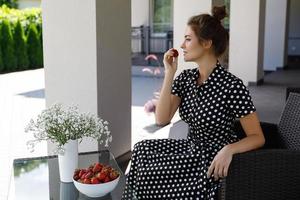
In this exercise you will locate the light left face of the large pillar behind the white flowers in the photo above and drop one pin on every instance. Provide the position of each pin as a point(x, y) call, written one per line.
point(69, 42)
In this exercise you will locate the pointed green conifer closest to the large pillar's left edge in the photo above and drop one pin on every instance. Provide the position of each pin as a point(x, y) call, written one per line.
point(35, 53)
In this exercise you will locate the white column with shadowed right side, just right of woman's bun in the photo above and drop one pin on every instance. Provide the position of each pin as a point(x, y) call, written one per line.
point(246, 45)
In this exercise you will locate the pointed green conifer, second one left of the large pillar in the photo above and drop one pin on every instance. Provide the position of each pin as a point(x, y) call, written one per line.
point(20, 47)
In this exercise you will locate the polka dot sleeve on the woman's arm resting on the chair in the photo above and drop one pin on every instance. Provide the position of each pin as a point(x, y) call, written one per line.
point(240, 101)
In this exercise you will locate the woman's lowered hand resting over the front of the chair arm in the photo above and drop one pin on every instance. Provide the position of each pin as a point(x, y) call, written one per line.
point(220, 164)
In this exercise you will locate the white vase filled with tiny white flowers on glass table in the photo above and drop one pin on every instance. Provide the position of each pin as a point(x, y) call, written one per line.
point(65, 127)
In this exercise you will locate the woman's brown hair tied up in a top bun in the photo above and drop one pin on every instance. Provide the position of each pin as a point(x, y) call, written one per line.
point(209, 27)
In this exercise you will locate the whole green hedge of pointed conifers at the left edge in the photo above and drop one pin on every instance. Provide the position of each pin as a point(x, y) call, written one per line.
point(20, 39)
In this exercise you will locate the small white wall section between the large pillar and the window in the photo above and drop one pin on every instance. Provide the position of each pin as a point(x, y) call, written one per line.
point(140, 12)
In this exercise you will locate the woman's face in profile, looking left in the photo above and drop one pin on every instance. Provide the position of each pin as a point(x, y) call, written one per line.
point(192, 49)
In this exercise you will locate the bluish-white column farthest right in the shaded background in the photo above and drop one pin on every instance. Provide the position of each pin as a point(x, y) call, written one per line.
point(275, 34)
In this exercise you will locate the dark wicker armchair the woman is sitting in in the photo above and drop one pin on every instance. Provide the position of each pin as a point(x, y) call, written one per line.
point(272, 172)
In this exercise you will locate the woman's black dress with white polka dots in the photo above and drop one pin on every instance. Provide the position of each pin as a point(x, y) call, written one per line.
point(177, 168)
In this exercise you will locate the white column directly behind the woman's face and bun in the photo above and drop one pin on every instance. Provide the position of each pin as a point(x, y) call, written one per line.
point(183, 10)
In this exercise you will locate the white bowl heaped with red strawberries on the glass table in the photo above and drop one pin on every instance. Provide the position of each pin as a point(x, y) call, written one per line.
point(97, 180)
